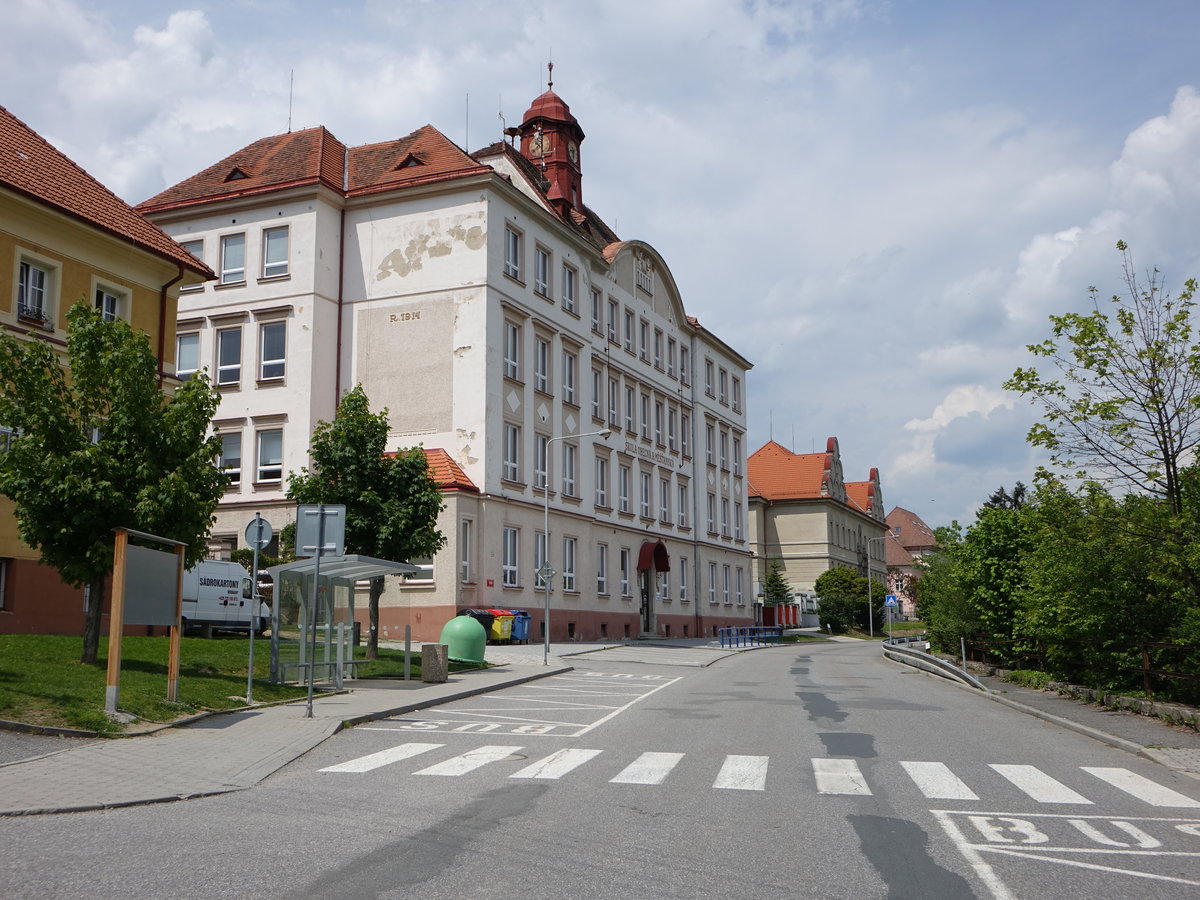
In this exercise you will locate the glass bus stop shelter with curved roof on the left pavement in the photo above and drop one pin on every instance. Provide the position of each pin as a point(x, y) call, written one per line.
point(293, 613)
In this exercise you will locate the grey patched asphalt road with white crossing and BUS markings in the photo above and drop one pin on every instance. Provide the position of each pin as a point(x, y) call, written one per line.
point(815, 771)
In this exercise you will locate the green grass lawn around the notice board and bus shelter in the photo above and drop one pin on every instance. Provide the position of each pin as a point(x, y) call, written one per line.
point(44, 683)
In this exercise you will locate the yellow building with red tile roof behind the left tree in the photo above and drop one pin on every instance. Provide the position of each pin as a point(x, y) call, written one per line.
point(64, 237)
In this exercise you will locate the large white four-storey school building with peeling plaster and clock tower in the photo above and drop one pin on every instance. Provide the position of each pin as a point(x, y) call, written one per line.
point(505, 326)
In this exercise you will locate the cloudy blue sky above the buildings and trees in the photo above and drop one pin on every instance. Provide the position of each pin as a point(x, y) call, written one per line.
point(878, 202)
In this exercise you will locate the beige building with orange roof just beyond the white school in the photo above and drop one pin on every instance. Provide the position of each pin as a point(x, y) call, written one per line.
point(806, 517)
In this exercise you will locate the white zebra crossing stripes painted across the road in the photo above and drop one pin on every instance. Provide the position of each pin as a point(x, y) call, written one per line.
point(831, 776)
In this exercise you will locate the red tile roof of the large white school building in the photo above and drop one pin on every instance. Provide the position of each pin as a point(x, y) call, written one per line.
point(315, 157)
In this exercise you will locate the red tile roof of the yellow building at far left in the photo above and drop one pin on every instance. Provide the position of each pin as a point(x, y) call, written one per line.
point(32, 166)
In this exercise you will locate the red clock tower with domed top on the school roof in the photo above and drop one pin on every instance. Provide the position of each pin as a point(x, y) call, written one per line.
point(550, 140)
